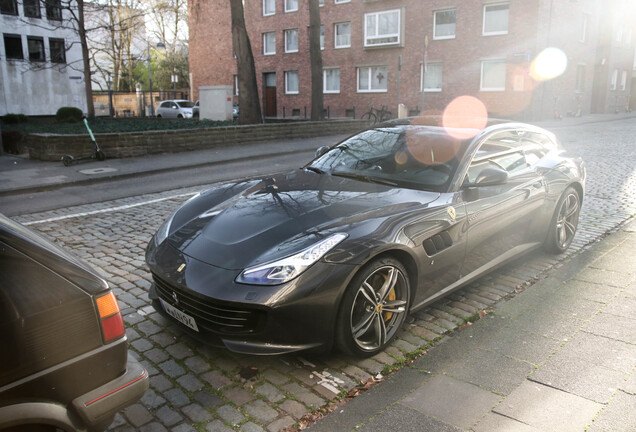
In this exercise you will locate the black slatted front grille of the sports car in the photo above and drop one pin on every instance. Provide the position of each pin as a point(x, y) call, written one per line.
point(212, 316)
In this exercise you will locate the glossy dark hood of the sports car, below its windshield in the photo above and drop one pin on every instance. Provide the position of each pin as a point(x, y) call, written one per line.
point(280, 215)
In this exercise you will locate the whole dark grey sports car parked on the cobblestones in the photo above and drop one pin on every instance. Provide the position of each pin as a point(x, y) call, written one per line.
point(382, 224)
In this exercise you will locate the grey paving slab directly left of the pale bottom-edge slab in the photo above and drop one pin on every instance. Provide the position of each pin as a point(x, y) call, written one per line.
point(441, 396)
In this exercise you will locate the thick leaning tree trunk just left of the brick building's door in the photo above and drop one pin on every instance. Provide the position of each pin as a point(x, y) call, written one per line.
point(249, 102)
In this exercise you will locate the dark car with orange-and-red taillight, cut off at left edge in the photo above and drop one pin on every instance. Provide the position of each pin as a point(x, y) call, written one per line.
point(64, 363)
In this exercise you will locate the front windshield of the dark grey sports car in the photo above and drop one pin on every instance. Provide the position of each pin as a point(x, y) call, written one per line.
point(414, 157)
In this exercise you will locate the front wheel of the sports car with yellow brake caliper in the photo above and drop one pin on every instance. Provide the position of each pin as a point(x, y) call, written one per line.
point(373, 308)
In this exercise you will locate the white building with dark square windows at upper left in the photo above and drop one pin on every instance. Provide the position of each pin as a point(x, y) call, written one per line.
point(41, 67)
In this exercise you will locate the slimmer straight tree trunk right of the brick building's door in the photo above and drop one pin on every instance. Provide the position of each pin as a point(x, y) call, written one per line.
point(315, 57)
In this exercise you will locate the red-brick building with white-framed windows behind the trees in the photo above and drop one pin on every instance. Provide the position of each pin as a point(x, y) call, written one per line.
point(375, 51)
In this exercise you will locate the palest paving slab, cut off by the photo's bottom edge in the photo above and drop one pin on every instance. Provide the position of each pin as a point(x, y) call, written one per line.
point(547, 408)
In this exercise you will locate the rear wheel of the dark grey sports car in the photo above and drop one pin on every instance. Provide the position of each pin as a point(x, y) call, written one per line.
point(564, 222)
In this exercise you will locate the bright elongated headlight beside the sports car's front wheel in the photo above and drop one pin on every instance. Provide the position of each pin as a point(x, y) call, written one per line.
point(286, 269)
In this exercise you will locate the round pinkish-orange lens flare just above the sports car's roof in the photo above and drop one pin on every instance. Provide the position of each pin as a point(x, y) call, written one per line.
point(464, 117)
